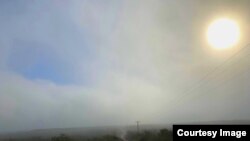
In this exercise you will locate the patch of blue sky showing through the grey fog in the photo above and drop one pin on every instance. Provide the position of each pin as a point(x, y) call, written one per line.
point(34, 61)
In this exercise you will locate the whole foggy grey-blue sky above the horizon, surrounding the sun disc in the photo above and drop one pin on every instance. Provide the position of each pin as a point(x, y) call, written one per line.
point(84, 63)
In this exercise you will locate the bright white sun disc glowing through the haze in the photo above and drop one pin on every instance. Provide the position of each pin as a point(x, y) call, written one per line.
point(223, 33)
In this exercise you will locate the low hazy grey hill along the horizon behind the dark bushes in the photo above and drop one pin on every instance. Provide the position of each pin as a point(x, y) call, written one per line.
point(105, 130)
